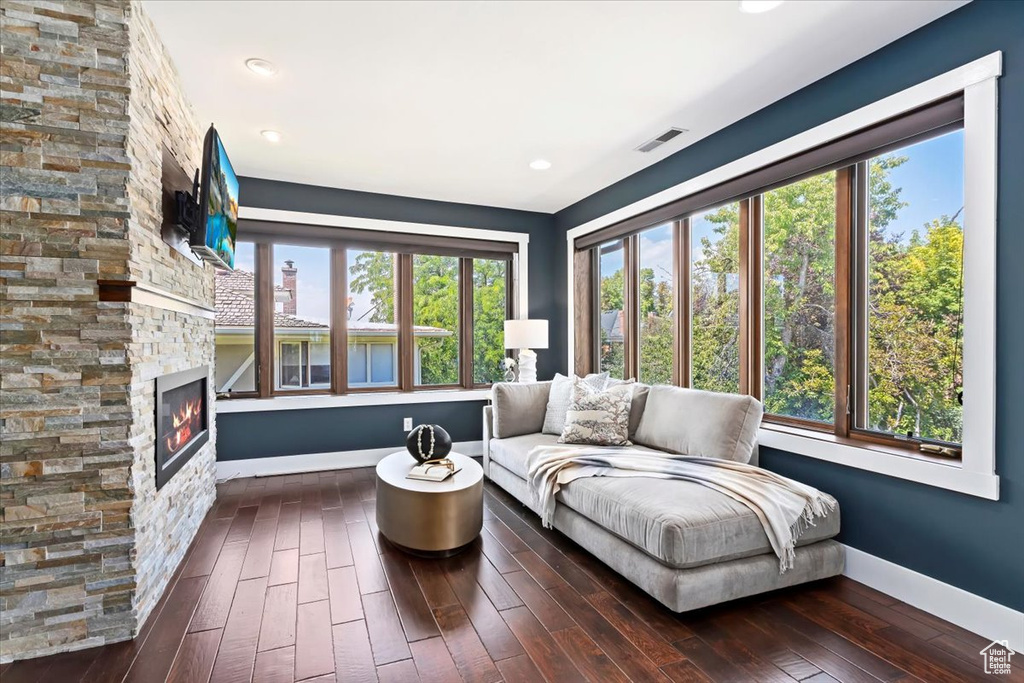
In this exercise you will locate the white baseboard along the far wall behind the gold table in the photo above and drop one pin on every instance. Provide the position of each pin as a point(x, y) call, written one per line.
point(318, 462)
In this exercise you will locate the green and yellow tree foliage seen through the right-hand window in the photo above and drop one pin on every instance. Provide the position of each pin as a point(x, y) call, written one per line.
point(914, 310)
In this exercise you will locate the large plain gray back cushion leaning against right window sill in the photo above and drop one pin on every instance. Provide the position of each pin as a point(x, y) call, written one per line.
point(701, 423)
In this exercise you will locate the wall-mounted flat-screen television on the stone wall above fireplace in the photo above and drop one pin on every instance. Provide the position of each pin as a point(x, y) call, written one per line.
point(214, 238)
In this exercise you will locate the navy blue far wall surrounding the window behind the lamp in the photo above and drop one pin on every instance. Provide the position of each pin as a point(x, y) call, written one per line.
point(243, 436)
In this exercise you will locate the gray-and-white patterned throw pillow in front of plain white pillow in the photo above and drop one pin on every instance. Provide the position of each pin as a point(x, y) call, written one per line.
point(599, 417)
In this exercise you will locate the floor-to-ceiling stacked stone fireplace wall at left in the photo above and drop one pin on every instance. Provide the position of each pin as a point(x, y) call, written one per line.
point(111, 332)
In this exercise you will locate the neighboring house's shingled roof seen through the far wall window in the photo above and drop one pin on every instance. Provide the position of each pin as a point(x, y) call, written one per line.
point(237, 309)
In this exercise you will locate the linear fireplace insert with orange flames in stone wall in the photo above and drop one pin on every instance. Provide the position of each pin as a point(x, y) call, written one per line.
point(183, 420)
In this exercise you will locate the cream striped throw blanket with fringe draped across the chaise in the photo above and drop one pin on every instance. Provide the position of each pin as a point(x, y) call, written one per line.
point(786, 508)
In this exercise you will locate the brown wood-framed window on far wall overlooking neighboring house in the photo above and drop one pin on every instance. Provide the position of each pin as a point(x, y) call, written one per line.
point(320, 316)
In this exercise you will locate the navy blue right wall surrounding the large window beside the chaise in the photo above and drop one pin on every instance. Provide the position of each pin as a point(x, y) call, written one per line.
point(971, 543)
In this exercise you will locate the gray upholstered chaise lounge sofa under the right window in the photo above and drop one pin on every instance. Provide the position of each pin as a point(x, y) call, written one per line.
point(687, 545)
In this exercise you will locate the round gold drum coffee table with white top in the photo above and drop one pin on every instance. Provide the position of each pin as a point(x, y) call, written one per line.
point(430, 518)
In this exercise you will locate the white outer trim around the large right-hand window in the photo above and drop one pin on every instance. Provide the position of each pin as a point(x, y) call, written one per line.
point(975, 475)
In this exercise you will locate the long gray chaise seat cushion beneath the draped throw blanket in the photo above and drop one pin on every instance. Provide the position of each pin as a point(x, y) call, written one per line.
point(681, 524)
